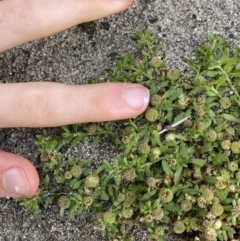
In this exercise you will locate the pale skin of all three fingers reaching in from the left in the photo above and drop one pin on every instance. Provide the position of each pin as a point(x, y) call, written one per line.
point(44, 104)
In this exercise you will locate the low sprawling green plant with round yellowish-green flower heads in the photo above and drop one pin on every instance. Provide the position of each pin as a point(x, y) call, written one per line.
point(167, 176)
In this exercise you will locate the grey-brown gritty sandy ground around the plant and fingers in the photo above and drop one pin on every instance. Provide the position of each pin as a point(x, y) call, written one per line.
point(83, 52)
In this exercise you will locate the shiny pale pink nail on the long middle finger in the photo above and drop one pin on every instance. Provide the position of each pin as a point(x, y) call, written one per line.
point(137, 97)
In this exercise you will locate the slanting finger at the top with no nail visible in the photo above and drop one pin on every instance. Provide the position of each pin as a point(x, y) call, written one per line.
point(25, 20)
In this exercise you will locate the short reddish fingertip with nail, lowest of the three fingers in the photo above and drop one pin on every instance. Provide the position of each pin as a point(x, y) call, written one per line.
point(18, 177)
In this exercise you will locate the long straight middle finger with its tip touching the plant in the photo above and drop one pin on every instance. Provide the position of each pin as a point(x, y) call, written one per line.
point(45, 104)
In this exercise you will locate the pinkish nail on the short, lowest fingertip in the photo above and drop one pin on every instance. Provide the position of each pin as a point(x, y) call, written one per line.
point(15, 182)
